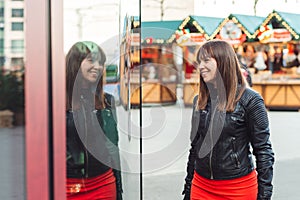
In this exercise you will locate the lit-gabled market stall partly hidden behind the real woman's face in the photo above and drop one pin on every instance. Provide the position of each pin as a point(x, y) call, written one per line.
point(192, 32)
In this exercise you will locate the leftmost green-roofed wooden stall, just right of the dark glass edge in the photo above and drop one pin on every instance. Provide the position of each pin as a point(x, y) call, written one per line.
point(159, 71)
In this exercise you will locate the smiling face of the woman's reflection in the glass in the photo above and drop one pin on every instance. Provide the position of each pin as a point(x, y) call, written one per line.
point(90, 69)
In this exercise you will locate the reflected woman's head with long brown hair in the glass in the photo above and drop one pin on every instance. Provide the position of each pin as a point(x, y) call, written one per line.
point(84, 70)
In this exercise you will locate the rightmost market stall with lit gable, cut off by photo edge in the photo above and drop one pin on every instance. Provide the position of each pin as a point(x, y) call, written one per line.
point(281, 88)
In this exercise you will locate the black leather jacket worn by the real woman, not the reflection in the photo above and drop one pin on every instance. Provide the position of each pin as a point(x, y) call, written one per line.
point(228, 154)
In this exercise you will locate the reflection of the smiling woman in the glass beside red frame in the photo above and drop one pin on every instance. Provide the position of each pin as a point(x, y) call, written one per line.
point(93, 162)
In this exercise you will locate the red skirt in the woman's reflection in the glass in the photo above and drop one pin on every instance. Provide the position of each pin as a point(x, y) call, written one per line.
point(101, 187)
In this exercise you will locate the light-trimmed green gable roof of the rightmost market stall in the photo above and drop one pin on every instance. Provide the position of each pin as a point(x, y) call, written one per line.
point(291, 21)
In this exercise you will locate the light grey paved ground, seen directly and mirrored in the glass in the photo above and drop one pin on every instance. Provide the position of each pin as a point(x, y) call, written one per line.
point(165, 128)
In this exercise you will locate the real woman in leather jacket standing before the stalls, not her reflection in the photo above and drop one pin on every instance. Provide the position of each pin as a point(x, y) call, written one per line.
point(228, 119)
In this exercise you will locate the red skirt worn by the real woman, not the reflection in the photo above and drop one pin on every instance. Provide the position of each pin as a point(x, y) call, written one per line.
point(243, 188)
